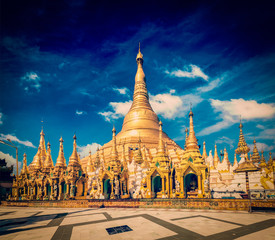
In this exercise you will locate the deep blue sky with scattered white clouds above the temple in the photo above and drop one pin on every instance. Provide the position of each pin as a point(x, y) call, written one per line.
point(72, 65)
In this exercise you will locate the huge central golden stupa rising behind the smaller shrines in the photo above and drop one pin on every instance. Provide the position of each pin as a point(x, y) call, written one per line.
point(141, 123)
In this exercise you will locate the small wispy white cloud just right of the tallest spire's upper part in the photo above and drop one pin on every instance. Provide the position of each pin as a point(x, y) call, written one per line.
point(191, 71)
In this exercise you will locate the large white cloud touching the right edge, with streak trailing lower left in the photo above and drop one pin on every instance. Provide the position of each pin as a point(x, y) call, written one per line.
point(230, 112)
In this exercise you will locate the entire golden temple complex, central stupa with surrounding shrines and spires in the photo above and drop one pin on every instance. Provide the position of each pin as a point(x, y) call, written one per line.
point(143, 162)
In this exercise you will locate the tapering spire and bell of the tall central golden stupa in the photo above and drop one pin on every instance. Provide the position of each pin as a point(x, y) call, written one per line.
point(141, 115)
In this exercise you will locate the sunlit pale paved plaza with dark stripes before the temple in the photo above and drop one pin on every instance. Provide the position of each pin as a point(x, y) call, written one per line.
point(120, 223)
